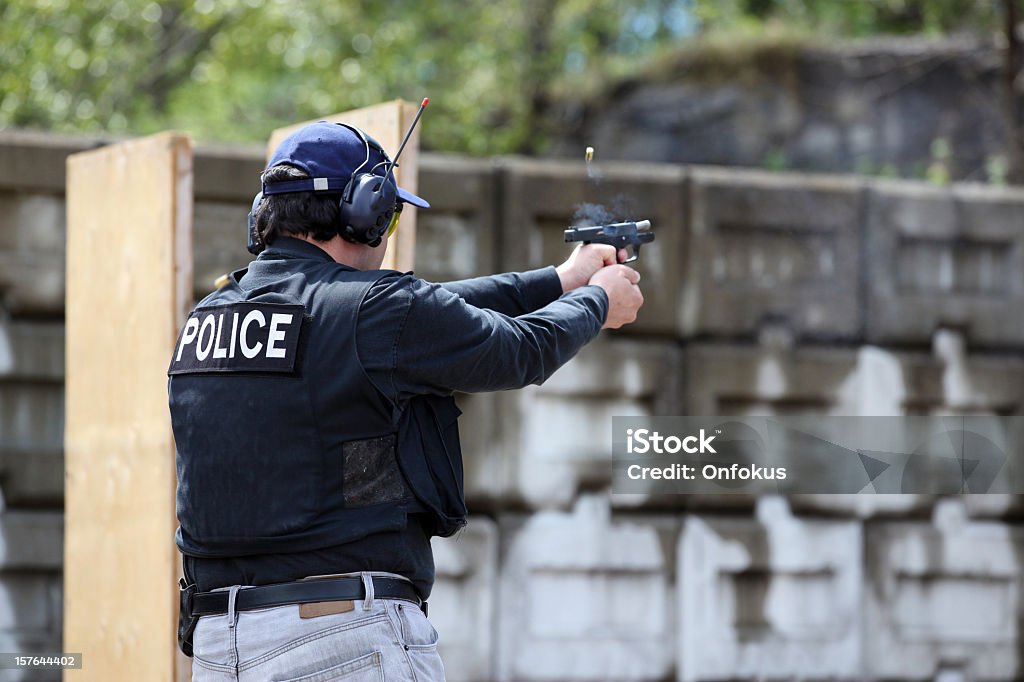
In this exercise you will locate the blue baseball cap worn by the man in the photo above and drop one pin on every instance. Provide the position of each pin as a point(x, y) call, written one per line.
point(331, 153)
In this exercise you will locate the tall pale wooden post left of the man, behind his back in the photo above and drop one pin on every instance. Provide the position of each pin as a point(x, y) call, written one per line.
point(130, 284)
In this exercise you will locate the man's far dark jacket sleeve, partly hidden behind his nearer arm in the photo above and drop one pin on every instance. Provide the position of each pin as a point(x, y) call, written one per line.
point(513, 293)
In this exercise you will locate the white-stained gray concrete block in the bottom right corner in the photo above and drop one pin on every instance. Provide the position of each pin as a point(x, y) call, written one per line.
point(944, 598)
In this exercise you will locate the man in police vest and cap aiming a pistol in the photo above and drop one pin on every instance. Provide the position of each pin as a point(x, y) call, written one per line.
point(318, 448)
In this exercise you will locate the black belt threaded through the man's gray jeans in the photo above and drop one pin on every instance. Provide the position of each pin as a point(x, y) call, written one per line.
point(303, 592)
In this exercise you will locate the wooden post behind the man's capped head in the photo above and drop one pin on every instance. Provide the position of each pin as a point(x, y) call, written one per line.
point(388, 124)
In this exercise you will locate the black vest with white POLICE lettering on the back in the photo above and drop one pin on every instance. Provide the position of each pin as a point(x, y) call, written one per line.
point(283, 443)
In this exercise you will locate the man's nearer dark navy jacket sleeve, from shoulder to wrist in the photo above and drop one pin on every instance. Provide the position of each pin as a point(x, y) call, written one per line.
point(441, 344)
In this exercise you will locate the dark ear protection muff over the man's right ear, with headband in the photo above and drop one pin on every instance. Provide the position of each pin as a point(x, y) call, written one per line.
point(368, 203)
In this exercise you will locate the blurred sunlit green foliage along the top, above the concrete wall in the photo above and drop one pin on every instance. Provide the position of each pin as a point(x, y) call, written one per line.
point(498, 73)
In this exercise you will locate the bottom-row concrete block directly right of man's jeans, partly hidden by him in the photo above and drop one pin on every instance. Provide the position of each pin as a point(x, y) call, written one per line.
point(463, 605)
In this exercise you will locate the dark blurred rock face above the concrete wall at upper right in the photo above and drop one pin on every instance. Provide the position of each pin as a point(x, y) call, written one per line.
point(880, 108)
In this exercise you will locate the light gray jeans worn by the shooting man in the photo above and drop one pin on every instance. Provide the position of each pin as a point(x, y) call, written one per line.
point(379, 641)
